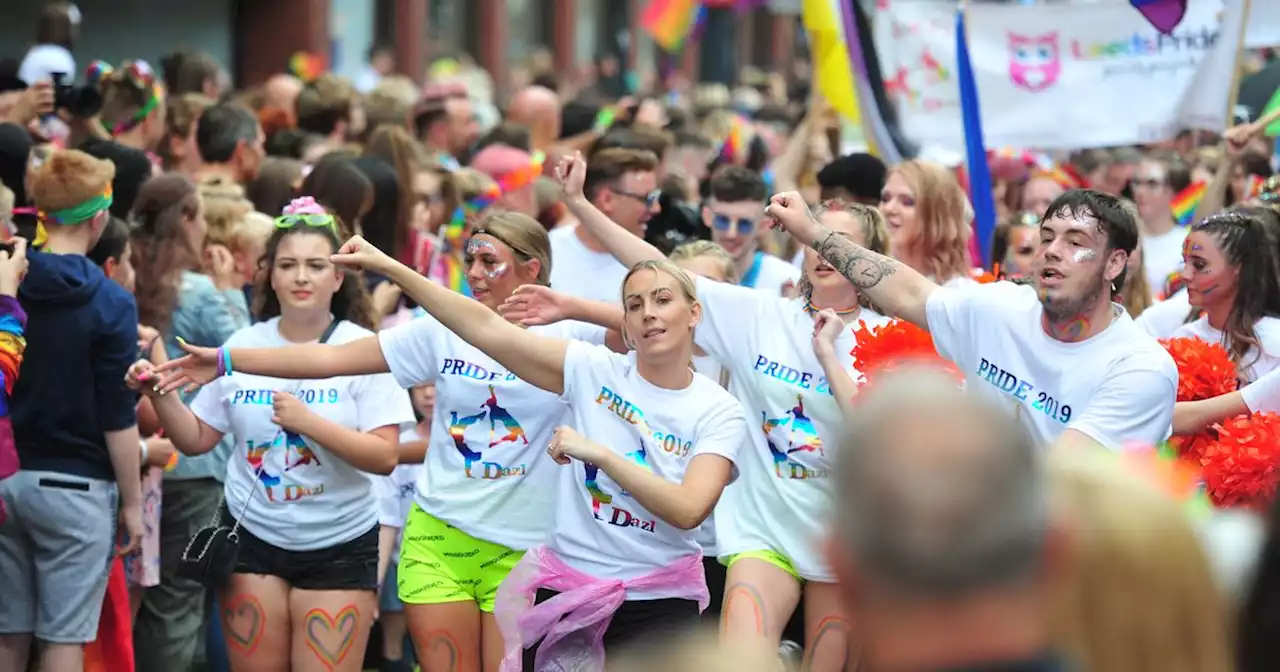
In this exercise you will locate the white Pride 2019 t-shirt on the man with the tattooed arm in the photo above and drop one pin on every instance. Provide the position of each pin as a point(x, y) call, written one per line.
point(1116, 387)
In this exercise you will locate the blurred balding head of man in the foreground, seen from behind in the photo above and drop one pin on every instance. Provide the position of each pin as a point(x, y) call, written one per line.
point(941, 492)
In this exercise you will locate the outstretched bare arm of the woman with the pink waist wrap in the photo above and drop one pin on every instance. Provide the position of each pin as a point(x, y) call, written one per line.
point(538, 360)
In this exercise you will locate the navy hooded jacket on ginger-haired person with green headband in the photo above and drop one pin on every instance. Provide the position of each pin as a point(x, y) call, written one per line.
point(83, 335)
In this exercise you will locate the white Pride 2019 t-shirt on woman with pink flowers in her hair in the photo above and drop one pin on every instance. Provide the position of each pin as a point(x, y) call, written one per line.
point(305, 497)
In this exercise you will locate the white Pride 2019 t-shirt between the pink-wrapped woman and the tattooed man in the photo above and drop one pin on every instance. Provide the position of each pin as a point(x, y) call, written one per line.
point(781, 502)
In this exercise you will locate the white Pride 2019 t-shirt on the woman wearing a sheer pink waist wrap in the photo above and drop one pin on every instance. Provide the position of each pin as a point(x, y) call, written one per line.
point(600, 529)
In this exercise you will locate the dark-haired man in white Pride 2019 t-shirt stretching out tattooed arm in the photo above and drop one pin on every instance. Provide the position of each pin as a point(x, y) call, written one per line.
point(1068, 360)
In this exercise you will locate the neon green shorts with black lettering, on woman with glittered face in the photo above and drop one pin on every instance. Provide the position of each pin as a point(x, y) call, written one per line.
point(441, 564)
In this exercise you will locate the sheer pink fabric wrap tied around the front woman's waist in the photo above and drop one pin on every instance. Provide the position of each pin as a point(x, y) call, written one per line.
point(572, 625)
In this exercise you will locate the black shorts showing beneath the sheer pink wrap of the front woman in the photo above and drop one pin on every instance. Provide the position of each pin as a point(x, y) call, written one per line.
point(636, 624)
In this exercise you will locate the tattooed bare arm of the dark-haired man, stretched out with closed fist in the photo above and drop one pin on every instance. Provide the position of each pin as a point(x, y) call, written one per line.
point(894, 286)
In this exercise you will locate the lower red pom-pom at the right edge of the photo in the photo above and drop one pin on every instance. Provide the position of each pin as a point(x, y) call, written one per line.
point(1241, 464)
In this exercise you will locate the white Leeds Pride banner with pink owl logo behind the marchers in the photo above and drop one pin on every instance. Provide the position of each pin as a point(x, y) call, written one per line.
point(1059, 76)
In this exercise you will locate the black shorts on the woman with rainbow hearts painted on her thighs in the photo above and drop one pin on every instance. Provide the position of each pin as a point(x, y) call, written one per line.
point(348, 566)
